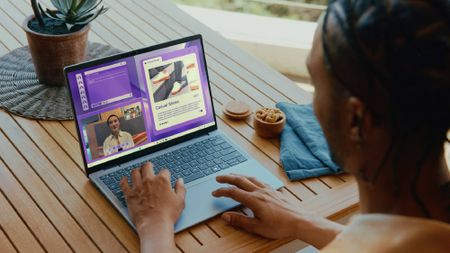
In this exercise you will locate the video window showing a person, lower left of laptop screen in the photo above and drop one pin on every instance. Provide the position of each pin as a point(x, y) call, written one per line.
point(114, 131)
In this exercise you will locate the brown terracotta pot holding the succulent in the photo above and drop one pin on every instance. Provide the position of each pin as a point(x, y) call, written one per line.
point(51, 53)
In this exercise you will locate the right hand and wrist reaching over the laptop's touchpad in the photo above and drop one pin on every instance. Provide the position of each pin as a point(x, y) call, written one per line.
point(274, 217)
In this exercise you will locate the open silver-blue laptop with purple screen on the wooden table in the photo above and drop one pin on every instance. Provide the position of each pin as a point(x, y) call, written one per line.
point(154, 104)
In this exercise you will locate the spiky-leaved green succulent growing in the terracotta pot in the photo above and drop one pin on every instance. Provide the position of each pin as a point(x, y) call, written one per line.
point(70, 12)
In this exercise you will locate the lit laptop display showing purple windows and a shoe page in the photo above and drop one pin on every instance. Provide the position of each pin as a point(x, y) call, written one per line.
point(141, 100)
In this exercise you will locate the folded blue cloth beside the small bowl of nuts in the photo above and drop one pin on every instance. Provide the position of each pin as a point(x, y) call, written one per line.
point(304, 151)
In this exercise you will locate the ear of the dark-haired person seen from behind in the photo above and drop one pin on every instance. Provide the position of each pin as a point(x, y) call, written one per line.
point(356, 116)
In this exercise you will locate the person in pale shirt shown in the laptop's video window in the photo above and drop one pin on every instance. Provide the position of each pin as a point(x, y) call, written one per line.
point(118, 140)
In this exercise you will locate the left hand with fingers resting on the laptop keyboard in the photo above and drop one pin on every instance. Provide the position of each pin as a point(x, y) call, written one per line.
point(154, 207)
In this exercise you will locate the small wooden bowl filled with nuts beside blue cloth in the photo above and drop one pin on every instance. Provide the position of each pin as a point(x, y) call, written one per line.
point(269, 122)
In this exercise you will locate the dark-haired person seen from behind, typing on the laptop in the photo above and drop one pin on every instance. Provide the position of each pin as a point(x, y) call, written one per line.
point(381, 71)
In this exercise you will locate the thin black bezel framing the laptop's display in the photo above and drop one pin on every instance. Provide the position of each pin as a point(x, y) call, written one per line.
point(152, 149)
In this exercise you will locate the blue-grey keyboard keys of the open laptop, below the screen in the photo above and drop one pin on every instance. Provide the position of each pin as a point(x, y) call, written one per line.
point(191, 162)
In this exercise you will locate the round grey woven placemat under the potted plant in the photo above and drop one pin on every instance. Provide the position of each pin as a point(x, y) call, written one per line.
point(22, 94)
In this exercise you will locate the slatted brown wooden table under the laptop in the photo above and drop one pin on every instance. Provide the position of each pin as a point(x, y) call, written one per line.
point(46, 201)
